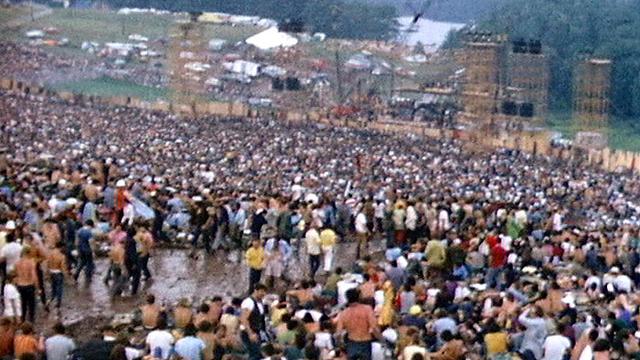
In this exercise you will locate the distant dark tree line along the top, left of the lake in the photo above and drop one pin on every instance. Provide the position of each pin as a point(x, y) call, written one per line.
point(336, 18)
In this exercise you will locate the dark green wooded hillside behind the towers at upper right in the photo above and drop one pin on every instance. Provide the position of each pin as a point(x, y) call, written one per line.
point(574, 28)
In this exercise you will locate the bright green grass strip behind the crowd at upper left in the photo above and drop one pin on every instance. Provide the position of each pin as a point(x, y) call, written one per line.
point(106, 86)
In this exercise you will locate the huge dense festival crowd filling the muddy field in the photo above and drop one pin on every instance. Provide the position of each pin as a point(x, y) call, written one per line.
point(497, 255)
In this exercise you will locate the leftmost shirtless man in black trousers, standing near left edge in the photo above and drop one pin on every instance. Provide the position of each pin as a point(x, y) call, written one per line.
point(26, 281)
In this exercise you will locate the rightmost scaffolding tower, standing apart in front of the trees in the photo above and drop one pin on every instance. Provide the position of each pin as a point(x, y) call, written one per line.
point(591, 93)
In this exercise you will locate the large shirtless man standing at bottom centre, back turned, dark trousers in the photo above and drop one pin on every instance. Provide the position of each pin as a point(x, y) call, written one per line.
point(359, 323)
